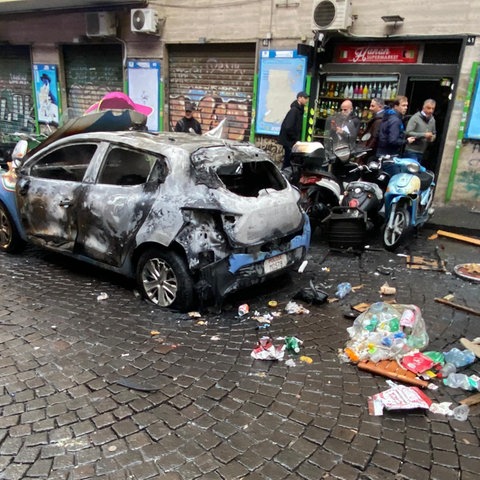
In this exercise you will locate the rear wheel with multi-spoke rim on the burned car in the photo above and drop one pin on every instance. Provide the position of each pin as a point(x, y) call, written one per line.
point(165, 280)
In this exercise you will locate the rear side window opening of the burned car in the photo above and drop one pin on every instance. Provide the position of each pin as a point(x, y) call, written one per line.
point(129, 167)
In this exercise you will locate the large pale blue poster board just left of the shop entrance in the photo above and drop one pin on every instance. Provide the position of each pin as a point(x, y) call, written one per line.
point(281, 76)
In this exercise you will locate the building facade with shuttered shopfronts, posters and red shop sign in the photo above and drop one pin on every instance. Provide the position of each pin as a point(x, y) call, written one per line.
point(211, 53)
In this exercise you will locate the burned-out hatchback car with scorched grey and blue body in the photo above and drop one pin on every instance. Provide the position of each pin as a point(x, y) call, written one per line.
point(191, 218)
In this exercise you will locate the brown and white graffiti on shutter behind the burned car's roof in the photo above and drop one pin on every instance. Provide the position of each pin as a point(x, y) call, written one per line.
point(211, 109)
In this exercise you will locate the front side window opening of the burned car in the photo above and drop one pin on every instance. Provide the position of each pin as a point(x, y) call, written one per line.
point(67, 163)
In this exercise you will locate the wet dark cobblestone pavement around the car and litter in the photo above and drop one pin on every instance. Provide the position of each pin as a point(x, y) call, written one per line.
point(198, 405)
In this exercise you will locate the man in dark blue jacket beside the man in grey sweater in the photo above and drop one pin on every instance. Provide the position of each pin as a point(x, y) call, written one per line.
point(391, 136)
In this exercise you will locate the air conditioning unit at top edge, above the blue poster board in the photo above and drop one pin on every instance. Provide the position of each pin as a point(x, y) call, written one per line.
point(331, 14)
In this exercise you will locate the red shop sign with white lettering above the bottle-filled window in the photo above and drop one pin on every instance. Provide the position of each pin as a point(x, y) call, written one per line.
point(376, 54)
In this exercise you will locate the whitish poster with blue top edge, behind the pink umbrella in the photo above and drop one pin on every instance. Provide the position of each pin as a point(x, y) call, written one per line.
point(144, 88)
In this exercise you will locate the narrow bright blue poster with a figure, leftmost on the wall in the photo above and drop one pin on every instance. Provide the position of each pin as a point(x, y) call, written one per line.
point(47, 100)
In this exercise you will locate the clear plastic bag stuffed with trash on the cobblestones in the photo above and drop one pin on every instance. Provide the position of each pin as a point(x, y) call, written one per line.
point(386, 331)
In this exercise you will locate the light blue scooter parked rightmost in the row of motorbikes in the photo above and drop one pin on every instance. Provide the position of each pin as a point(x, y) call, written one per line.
point(408, 198)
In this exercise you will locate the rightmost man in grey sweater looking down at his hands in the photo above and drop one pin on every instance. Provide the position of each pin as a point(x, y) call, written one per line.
point(422, 127)
